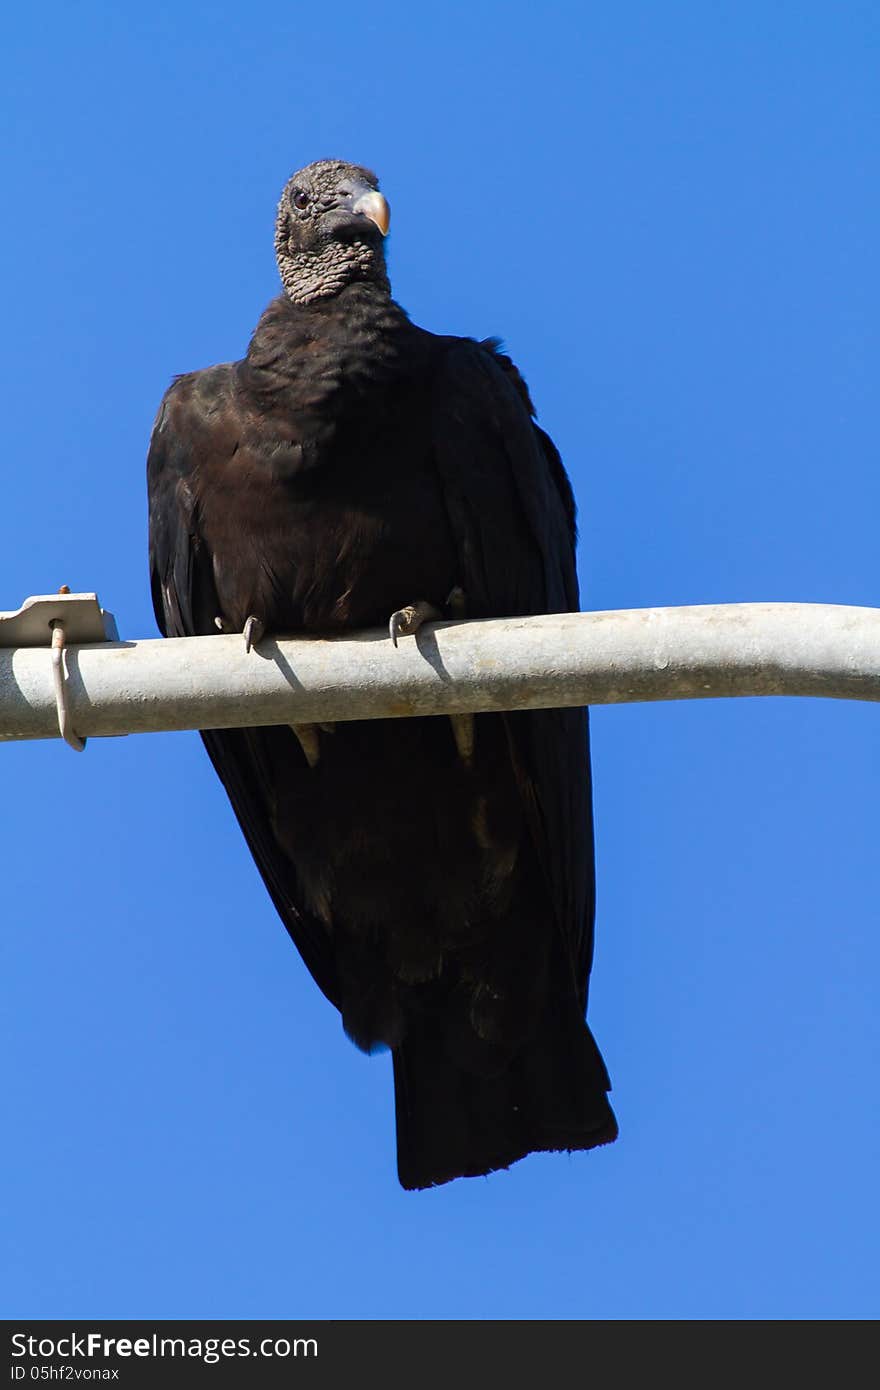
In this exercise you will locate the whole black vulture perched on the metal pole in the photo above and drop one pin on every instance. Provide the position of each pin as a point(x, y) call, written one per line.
point(436, 875)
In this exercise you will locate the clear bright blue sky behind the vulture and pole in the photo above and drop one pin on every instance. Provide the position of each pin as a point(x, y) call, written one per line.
point(672, 215)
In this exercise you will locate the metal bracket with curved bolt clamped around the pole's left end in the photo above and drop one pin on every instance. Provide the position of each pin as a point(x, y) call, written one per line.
point(56, 621)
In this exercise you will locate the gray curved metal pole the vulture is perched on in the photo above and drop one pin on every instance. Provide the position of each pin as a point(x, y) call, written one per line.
point(450, 668)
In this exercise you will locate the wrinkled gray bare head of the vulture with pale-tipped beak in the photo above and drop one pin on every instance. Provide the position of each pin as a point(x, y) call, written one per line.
point(330, 229)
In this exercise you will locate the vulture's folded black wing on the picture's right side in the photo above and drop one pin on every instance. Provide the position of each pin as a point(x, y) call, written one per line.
point(512, 512)
